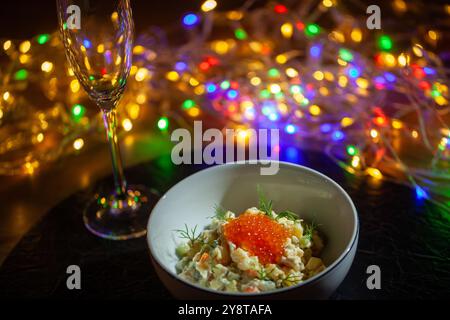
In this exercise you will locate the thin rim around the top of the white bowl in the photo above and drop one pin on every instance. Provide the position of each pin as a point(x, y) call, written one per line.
point(328, 269)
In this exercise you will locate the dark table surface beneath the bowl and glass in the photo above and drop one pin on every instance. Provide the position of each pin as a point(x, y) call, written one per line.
point(406, 238)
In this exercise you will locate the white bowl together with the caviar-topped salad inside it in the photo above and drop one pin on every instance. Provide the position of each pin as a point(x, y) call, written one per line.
point(228, 231)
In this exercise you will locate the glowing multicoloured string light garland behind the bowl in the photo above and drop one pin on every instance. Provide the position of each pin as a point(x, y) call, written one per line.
point(369, 99)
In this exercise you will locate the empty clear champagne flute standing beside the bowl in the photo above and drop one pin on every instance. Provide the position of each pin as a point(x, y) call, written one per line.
point(98, 40)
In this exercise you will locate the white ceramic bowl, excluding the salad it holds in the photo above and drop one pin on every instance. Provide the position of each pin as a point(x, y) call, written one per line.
point(233, 186)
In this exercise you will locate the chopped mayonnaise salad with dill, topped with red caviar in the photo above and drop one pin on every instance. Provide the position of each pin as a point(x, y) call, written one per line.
point(257, 251)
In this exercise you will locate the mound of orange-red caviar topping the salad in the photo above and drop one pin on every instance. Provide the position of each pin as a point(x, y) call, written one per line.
point(258, 234)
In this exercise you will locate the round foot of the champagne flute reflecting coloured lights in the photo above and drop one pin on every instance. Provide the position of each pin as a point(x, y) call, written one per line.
point(121, 219)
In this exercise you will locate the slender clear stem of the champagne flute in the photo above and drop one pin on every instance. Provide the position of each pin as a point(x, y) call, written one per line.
point(110, 122)
